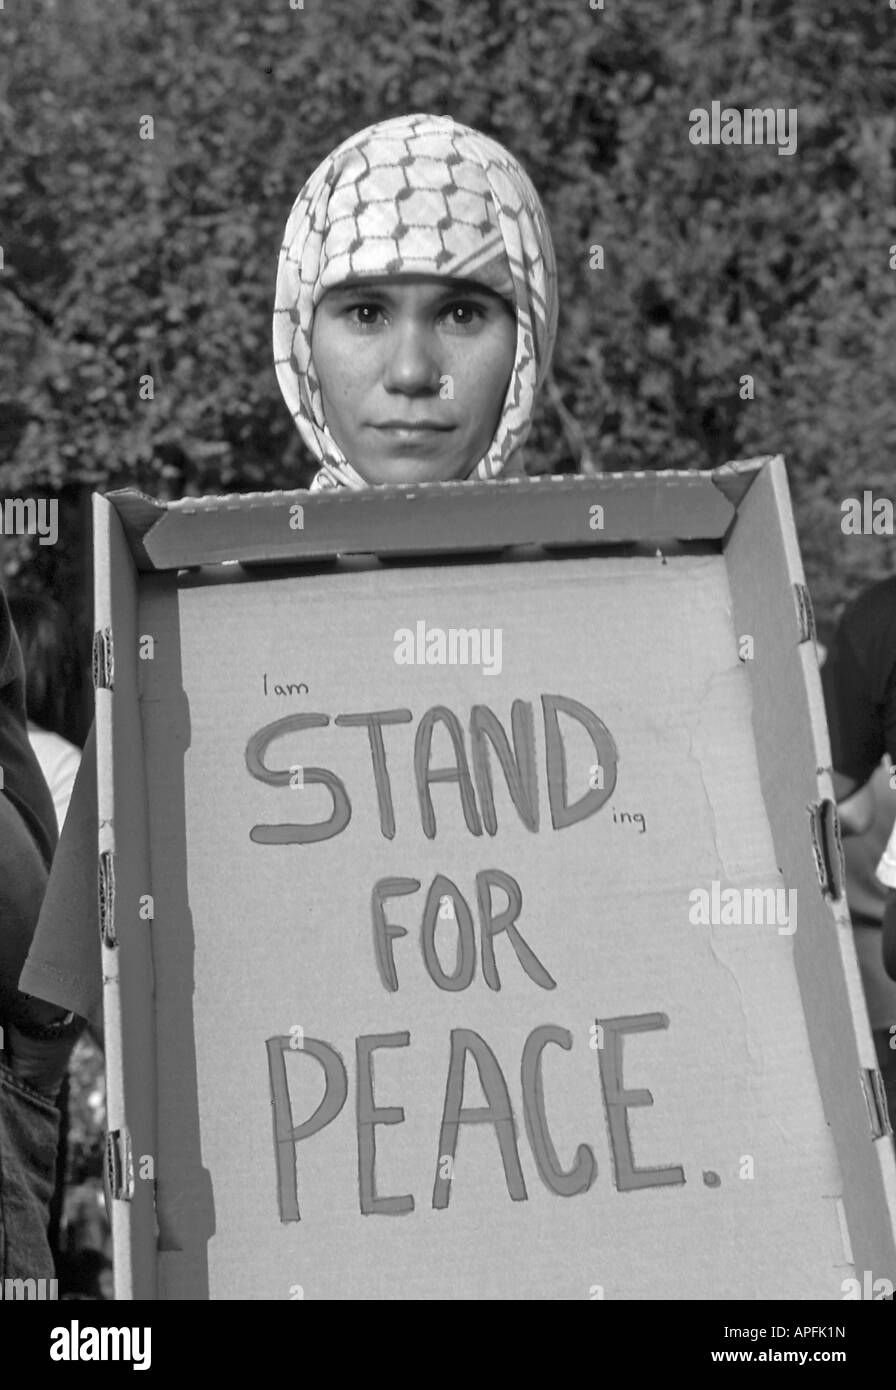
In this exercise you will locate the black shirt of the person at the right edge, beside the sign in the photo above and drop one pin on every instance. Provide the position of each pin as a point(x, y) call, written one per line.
point(859, 682)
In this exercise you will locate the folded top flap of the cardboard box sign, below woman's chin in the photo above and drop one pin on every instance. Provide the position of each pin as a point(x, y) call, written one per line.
point(430, 519)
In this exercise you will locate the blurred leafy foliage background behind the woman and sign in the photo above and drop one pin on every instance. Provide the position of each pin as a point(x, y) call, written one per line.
point(124, 258)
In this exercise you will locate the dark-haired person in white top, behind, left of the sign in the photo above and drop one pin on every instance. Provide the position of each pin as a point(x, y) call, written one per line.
point(52, 679)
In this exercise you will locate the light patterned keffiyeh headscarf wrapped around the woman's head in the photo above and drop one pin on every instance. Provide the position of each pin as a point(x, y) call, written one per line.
point(417, 195)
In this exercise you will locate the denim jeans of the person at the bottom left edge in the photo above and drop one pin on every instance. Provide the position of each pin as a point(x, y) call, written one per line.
point(30, 1128)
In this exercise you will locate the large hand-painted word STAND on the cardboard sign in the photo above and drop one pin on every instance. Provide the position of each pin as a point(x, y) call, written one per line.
point(519, 767)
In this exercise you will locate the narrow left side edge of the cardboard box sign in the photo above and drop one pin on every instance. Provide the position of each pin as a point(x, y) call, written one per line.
point(126, 939)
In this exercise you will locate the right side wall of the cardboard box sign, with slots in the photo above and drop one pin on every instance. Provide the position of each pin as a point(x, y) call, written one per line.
point(790, 717)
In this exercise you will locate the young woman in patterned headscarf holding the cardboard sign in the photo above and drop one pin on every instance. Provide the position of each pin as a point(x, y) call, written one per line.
point(415, 322)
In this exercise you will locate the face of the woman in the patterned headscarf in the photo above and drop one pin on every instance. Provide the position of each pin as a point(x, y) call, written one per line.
point(413, 375)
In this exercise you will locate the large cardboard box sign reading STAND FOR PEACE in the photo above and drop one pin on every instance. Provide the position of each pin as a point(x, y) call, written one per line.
point(486, 926)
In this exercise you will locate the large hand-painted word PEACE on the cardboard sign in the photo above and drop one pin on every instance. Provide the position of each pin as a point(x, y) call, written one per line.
point(498, 1111)
